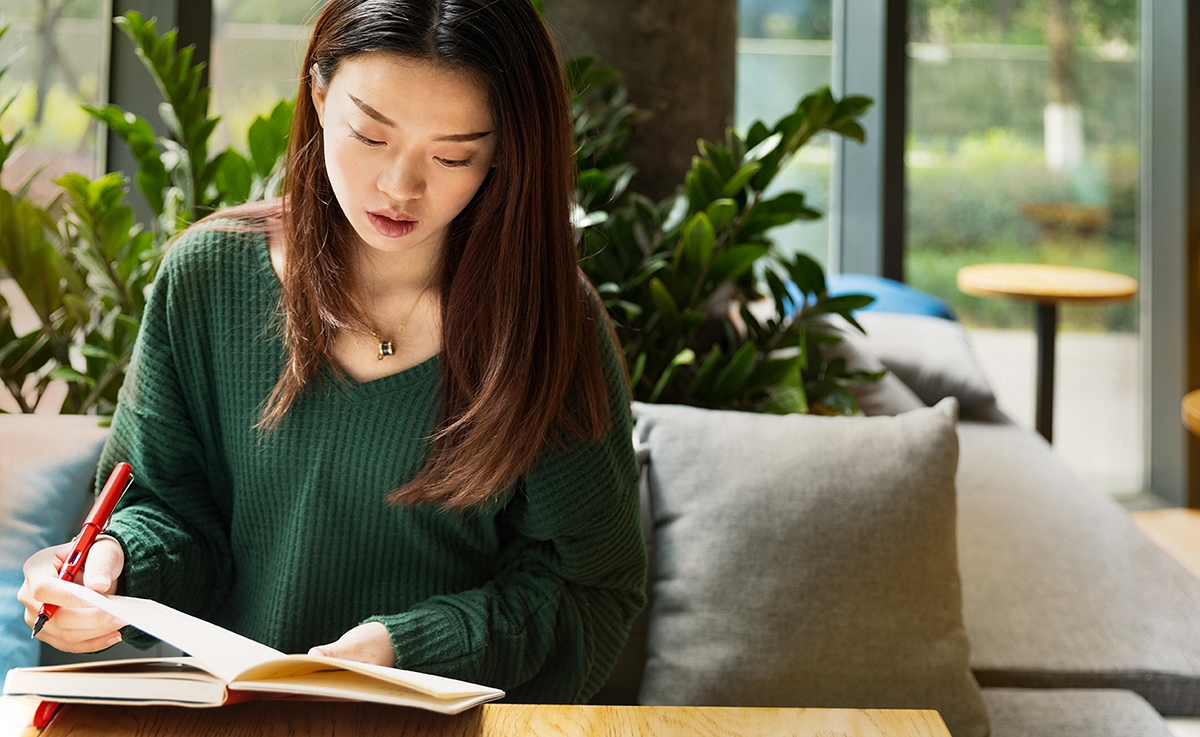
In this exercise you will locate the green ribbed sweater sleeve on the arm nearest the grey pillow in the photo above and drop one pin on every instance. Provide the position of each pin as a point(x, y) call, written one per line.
point(550, 625)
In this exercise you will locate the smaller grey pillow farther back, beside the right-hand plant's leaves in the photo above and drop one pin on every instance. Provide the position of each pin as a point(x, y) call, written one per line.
point(932, 356)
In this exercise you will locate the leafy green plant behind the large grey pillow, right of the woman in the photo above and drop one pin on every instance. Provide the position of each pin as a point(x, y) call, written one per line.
point(681, 277)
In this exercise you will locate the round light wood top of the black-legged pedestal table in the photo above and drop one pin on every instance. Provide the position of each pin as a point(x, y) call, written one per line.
point(1046, 283)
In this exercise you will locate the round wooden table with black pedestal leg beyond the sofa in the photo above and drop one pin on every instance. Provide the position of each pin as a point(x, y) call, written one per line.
point(1046, 286)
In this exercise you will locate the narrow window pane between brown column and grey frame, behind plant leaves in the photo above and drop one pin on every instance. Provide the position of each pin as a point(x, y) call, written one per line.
point(784, 53)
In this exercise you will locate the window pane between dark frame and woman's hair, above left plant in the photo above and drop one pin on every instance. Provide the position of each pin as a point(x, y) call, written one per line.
point(257, 51)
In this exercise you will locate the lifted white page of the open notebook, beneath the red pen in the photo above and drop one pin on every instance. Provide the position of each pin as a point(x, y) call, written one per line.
point(224, 654)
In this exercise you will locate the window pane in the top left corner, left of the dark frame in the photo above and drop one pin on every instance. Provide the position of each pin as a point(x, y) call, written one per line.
point(58, 58)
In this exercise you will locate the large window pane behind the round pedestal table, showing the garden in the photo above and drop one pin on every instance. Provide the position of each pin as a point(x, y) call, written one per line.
point(1023, 147)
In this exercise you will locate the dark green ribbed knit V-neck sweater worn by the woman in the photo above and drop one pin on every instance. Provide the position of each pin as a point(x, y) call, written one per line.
point(287, 538)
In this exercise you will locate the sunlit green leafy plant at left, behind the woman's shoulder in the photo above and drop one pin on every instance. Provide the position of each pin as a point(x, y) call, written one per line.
point(86, 265)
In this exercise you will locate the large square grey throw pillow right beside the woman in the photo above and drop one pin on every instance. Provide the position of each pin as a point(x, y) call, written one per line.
point(807, 562)
